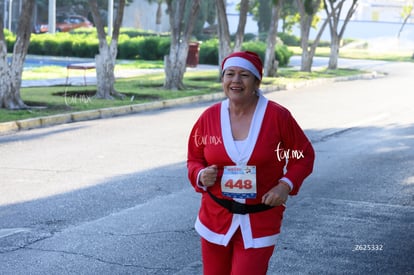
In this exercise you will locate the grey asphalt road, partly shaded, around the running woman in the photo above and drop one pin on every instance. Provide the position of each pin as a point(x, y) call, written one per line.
point(111, 196)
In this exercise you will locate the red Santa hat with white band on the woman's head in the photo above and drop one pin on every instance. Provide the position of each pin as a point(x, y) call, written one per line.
point(246, 60)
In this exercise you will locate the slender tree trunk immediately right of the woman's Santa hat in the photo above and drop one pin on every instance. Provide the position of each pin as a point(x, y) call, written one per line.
point(270, 63)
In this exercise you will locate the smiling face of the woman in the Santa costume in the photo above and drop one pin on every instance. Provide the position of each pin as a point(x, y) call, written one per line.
point(239, 84)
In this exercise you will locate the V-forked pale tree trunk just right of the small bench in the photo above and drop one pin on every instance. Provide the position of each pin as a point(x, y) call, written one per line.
point(106, 59)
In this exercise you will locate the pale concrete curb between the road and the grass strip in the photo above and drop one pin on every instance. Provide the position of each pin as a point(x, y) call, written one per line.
point(47, 121)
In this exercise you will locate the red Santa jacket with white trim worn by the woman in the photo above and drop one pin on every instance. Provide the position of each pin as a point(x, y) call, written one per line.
point(273, 138)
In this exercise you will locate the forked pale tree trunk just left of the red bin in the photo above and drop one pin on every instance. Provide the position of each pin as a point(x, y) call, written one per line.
point(175, 62)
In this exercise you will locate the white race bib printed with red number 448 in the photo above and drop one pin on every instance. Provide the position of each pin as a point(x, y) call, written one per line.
point(239, 182)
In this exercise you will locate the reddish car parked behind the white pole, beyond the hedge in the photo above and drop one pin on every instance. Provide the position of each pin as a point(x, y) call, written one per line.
point(65, 24)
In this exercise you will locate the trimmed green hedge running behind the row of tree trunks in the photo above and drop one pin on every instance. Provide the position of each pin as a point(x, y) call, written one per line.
point(131, 45)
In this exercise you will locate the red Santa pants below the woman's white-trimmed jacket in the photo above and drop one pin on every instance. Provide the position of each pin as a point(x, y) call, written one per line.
point(233, 259)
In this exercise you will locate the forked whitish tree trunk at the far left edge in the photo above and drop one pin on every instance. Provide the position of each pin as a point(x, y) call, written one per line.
point(11, 73)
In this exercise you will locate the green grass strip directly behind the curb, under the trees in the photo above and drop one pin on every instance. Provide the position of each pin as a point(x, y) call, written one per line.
point(145, 88)
